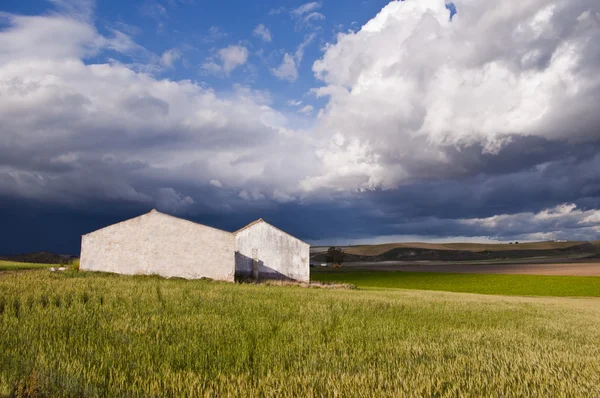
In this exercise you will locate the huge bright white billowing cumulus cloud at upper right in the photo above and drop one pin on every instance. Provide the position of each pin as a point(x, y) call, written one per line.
point(411, 85)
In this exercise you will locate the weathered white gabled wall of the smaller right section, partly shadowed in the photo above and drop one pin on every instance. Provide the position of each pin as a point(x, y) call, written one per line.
point(280, 255)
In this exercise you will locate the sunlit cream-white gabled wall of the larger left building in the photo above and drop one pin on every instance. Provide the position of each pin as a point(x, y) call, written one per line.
point(156, 243)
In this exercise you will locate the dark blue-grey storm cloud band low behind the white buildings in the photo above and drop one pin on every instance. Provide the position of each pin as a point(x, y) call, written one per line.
point(433, 209)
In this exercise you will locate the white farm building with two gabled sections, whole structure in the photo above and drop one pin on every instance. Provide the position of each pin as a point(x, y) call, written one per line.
point(157, 243)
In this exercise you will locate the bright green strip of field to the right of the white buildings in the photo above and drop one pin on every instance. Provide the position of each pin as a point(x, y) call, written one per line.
point(513, 285)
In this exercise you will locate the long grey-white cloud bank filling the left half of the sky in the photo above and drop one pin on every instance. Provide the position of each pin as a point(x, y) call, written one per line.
point(74, 131)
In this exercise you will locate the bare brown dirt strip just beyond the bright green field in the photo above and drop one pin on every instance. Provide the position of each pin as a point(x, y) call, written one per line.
point(573, 269)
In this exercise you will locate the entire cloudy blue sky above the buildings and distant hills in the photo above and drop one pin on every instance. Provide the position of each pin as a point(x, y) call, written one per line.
point(339, 122)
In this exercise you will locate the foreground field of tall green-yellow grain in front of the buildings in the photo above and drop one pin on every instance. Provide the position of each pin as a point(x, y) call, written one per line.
point(83, 334)
